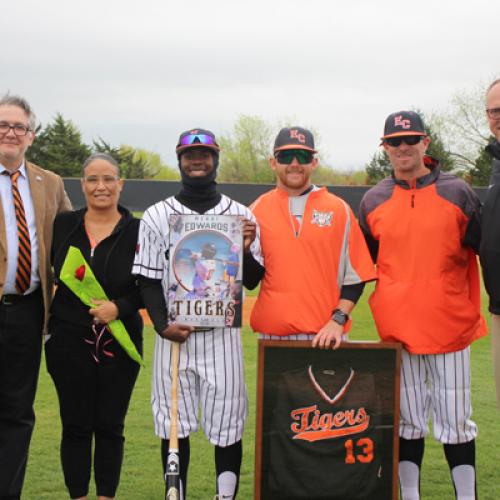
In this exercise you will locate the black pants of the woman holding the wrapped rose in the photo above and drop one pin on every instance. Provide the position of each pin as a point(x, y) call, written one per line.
point(93, 398)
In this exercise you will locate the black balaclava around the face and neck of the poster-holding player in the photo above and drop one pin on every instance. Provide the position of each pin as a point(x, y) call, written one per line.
point(199, 193)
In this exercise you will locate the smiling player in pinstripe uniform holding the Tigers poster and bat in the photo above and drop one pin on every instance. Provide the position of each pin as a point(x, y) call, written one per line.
point(211, 362)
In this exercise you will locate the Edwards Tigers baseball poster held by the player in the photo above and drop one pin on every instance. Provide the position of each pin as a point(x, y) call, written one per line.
point(205, 270)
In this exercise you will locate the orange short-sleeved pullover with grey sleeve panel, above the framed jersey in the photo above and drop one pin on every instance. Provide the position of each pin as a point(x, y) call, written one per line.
point(305, 272)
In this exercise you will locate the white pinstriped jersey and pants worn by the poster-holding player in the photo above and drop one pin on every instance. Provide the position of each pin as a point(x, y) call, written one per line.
point(211, 363)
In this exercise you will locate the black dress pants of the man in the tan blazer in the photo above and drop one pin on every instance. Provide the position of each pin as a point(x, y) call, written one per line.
point(21, 324)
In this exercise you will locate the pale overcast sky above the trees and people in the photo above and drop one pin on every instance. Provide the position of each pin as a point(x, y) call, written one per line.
point(141, 72)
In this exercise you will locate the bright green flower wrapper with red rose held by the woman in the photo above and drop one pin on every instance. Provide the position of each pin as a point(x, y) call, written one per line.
point(77, 275)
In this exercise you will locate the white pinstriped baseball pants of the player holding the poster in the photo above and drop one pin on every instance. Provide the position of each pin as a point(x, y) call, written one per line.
point(211, 379)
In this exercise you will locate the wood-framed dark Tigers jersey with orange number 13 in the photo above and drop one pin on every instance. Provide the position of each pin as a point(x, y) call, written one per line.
point(327, 421)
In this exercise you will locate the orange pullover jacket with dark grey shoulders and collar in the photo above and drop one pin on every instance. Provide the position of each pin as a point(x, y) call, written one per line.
point(424, 239)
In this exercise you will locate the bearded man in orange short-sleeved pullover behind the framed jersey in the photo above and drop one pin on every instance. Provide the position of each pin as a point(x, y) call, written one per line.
point(315, 258)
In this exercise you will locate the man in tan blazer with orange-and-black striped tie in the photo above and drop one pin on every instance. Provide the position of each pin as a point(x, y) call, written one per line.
point(30, 199)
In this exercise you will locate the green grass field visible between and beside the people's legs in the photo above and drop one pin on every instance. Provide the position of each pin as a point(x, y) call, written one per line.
point(141, 474)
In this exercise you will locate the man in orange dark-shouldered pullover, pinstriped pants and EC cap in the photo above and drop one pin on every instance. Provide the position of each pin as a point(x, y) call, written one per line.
point(422, 227)
